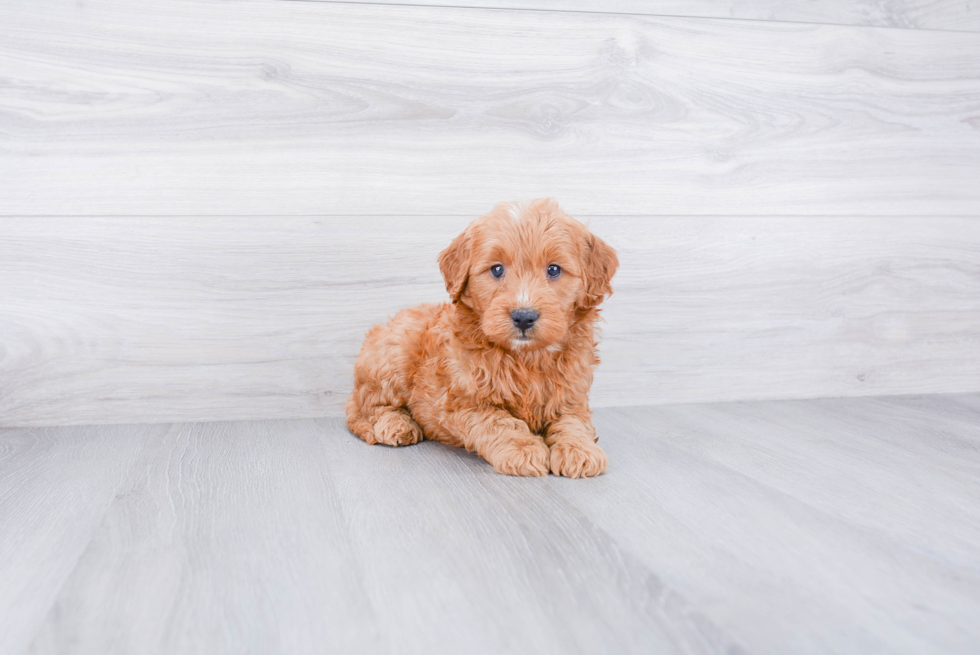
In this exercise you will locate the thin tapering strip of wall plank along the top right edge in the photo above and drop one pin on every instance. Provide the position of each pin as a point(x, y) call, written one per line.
point(957, 15)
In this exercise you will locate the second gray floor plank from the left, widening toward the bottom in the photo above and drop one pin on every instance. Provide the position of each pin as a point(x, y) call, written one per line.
point(228, 538)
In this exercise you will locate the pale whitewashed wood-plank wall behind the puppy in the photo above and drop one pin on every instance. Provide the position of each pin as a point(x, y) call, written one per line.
point(204, 204)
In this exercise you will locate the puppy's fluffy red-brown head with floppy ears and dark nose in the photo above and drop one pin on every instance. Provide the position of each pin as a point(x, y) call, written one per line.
point(527, 272)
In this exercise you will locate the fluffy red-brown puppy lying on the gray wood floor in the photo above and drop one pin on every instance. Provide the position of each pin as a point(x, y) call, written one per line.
point(503, 370)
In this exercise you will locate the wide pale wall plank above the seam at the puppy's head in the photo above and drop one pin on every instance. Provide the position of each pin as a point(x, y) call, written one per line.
point(269, 108)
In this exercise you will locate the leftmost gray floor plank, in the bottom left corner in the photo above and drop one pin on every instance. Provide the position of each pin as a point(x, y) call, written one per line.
point(55, 488)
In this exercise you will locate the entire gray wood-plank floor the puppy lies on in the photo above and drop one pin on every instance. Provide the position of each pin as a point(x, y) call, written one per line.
point(848, 526)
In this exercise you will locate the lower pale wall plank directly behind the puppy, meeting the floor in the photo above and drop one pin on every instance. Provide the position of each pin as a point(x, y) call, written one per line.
point(125, 320)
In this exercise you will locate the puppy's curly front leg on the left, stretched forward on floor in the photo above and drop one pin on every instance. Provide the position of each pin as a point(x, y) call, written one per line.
point(501, 439)
